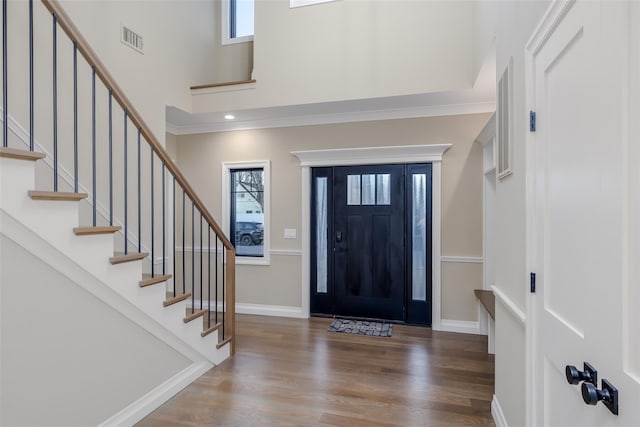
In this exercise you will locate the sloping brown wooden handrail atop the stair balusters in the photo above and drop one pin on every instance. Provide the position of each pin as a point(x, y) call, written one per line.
point(101, 71)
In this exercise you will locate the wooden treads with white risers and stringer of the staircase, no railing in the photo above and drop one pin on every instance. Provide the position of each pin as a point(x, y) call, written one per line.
point(53, 216)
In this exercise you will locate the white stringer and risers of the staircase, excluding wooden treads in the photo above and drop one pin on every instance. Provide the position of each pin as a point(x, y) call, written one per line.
point(53, 223)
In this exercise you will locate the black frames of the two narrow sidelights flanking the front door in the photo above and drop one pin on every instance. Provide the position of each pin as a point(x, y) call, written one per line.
point(415, 312)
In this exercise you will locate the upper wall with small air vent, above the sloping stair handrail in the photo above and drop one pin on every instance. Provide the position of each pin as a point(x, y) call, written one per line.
point(179, 40)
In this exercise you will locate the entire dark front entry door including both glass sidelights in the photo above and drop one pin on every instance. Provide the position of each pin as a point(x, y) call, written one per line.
point(370, 246)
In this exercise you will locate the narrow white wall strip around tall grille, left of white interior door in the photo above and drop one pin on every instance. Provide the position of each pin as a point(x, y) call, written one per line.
point(512, 23)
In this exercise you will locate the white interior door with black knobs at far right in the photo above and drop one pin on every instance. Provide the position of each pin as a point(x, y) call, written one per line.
point(583, 236)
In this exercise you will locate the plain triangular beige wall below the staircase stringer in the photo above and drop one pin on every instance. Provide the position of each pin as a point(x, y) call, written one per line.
point(66, 357)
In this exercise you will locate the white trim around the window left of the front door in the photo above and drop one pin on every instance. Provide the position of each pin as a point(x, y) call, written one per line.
point(226, 205)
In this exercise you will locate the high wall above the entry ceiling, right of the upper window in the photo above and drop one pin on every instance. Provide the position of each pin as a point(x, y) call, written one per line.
point(351, 50)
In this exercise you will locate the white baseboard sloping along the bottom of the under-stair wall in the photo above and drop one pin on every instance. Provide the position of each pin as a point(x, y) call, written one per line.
point(156, 397)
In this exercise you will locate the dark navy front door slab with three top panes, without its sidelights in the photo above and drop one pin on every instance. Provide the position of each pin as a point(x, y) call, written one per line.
point(368, 234)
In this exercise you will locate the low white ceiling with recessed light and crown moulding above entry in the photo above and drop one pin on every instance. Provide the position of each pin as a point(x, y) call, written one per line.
point(479, 99)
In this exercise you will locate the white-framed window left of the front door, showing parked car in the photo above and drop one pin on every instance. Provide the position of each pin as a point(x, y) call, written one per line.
point(246, 209)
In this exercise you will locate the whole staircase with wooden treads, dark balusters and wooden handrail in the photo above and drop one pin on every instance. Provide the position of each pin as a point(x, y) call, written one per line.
point(136, 227)
